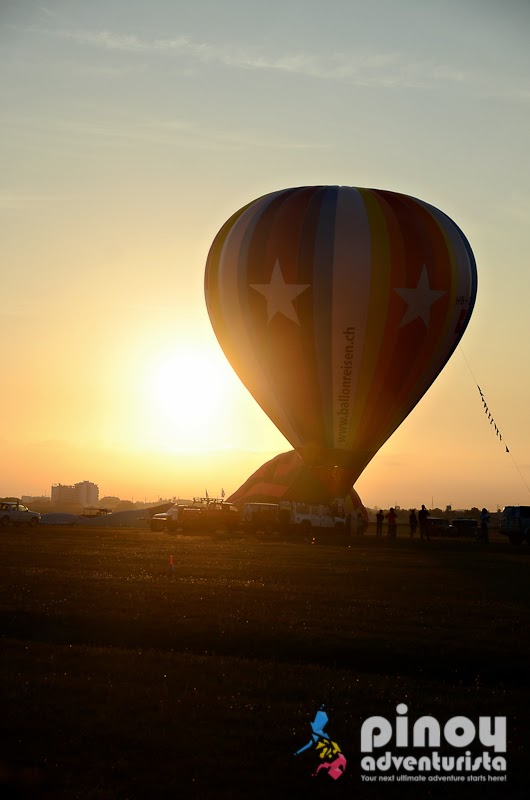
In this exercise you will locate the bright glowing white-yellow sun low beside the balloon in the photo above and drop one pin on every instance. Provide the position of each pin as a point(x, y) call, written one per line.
point(186, 397)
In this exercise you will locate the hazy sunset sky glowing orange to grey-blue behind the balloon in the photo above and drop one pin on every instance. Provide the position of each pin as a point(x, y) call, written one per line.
point(132, 130)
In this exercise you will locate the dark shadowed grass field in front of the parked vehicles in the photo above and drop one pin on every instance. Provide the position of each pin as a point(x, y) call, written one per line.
point(121, 681)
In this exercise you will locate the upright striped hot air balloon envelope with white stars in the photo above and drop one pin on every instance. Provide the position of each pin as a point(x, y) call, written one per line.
point(338, 307)
